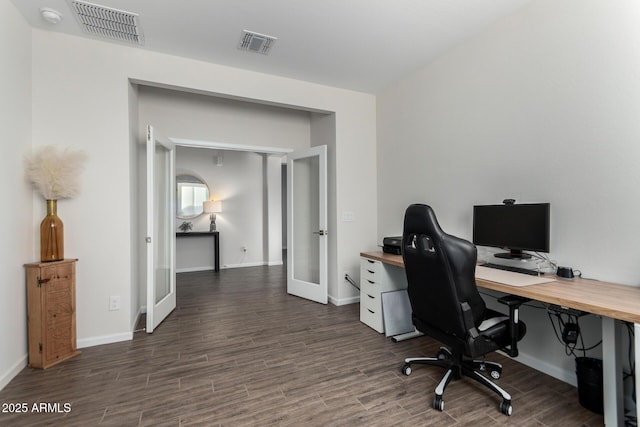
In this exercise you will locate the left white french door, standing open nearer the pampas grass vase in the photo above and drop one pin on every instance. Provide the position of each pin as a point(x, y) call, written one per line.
point(160, 239)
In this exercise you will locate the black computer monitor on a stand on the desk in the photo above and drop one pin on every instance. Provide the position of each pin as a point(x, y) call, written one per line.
point(516, 227)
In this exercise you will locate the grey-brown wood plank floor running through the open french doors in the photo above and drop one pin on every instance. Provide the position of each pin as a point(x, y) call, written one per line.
point(239, 351)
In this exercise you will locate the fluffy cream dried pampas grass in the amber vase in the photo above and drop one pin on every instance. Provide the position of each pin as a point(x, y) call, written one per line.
point(55, 173)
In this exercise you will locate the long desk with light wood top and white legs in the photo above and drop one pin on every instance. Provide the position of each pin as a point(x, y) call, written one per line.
point(612, 301)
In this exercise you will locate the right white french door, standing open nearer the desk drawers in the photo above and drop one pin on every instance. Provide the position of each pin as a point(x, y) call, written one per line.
point(307, 224)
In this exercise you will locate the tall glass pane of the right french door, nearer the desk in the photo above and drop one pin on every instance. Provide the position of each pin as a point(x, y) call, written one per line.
point(306, 223)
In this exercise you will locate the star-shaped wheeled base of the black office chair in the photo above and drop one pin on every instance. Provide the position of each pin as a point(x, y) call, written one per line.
point(457, 367)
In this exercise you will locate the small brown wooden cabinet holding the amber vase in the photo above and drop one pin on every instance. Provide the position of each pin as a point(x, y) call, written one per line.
point(51, 312)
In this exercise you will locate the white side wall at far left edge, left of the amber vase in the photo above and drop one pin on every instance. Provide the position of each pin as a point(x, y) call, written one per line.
point(17, 245)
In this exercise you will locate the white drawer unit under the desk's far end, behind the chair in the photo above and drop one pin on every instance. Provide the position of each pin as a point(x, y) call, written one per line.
point(375, 279)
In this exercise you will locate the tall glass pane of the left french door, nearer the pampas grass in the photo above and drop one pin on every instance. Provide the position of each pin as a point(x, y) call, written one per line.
point(162, 207)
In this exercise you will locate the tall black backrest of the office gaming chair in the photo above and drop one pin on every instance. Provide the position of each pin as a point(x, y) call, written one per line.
point(440, 271)
